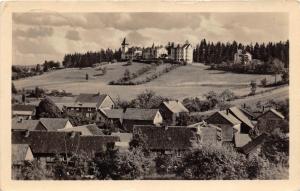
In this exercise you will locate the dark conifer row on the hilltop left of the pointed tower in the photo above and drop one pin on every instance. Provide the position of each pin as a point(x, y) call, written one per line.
point(87, 59)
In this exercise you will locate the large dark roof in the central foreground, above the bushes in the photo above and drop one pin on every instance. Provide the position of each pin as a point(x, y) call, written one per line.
point(166, 138)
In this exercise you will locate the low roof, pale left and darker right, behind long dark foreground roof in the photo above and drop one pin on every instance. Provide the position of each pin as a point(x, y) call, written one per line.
point(85, 130)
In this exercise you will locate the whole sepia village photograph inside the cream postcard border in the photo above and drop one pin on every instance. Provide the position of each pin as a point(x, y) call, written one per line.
point(150, 96)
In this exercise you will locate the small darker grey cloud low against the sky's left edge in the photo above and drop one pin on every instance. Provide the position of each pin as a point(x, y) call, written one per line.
point(34, 32)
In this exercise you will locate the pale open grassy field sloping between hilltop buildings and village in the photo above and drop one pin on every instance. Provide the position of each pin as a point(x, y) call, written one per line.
point(187, 81)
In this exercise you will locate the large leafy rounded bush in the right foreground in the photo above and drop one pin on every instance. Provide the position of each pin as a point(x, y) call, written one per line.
point(213, 162)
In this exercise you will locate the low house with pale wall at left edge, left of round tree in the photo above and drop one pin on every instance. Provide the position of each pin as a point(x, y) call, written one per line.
point(23, 111)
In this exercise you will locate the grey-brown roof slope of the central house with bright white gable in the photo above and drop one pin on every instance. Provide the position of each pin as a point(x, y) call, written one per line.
point(140, 114)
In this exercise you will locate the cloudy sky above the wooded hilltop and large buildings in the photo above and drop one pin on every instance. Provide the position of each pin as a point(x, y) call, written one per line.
point(49, 36)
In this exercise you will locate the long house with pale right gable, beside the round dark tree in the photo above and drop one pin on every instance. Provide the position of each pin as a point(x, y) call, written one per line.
point(89, 104)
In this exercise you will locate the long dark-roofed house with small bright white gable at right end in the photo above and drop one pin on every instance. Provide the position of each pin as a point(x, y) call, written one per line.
point(137, 116)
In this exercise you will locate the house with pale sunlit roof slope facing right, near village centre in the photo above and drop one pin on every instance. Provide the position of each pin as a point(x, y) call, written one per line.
point(170, 111)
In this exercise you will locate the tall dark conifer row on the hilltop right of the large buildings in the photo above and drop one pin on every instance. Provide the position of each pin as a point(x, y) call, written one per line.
point(216, 53)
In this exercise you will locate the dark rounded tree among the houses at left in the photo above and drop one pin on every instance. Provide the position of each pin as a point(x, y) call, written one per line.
point(47, 108)
